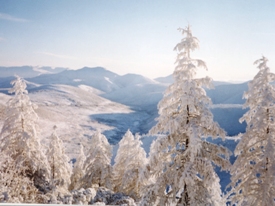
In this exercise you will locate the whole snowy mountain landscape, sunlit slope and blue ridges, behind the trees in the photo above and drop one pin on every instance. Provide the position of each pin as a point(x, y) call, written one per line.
point(80, 97)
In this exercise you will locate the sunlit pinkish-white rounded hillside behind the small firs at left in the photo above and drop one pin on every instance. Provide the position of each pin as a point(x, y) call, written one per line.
point(71, 109)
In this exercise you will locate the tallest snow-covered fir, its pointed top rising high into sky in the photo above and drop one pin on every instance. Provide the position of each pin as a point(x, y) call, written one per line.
point(187, 175)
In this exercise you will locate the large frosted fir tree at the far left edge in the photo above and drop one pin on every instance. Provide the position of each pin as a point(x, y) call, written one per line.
point(19, 139)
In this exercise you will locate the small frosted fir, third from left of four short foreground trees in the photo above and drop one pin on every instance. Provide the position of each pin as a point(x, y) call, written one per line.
point(97, 166)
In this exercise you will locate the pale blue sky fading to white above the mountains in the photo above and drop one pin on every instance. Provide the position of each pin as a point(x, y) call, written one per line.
point(127, 36)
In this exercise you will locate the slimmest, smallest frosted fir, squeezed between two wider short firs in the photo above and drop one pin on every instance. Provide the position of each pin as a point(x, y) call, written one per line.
point(78, 169)
